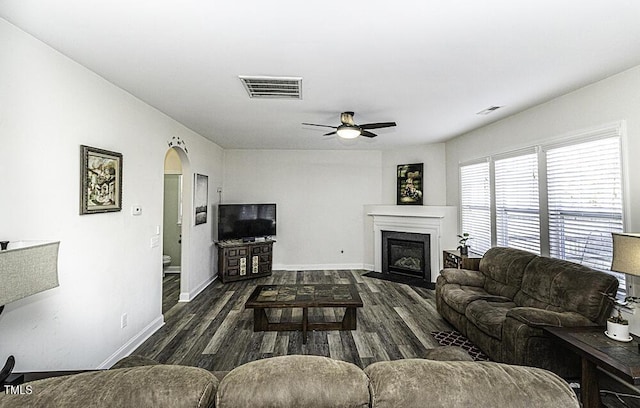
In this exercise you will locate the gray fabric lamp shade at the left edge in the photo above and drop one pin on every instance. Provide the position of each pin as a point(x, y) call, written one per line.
point(27, 268)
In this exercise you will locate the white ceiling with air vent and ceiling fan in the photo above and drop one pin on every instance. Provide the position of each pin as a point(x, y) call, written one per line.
point(428, 65)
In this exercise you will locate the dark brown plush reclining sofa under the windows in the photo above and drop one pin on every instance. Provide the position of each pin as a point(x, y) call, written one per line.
point(503, 306)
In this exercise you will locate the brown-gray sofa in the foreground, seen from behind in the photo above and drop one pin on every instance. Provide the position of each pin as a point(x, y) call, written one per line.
point(304, 381)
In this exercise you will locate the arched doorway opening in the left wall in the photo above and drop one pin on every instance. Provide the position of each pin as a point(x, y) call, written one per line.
point(176, 222)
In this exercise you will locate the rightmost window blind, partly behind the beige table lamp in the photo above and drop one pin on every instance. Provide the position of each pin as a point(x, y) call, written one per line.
point(584, 187)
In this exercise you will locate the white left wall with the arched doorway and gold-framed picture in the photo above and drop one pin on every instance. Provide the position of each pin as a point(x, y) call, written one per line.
point(49, 106)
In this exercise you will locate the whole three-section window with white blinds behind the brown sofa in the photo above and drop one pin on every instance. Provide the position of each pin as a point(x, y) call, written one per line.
point(561, 200)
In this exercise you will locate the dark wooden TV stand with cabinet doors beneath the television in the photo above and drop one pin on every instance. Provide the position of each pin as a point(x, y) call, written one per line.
point(238, 260)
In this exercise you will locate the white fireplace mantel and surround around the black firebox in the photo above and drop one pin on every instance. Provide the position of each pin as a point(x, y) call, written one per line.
point(440, 222)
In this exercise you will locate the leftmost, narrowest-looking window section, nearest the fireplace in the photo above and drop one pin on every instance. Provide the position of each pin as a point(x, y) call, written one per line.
point(475, 205)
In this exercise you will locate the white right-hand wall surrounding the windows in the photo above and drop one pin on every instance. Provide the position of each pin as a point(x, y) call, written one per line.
point(613, 99)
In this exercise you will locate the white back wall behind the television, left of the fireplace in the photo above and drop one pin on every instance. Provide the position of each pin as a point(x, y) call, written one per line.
point(320, 197)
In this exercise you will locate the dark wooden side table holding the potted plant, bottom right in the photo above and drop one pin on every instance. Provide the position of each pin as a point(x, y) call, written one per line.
point(597, 350)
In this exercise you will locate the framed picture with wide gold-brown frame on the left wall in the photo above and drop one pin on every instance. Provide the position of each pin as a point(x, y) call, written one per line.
point(100, 180)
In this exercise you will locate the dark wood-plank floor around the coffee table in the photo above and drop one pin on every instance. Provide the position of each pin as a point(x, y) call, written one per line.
point(215, 332)
